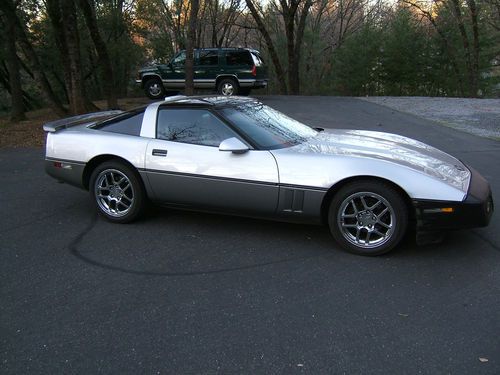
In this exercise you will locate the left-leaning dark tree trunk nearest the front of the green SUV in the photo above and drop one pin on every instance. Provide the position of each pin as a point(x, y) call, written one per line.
point(107, 79)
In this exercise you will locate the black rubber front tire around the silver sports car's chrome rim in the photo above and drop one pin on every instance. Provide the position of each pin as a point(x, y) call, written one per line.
point(390, 194)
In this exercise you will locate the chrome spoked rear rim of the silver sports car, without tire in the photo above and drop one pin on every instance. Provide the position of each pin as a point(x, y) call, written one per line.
point(114, 193)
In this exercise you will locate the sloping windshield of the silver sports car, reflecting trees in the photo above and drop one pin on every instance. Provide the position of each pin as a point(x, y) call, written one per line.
point(266, 127)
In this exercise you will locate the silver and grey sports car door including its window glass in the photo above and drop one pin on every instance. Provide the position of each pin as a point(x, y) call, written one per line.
point(184, 166)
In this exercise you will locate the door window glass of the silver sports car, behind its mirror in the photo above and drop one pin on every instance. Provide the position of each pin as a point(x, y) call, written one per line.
point(196, 126)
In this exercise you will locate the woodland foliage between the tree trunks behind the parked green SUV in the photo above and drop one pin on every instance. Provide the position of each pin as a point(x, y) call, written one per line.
point(394, 49)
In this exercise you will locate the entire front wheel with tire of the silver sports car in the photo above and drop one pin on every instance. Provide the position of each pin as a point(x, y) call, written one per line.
point(378, 222)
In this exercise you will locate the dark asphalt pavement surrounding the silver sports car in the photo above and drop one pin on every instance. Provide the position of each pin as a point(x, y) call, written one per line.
point(196, 293)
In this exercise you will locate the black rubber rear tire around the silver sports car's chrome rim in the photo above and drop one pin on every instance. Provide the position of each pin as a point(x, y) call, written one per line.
point(139, 196)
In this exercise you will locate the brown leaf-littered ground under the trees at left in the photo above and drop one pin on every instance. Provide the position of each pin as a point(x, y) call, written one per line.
point(29, 133)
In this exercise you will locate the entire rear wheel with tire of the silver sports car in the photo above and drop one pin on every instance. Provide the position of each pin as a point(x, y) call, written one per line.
point(117, 191)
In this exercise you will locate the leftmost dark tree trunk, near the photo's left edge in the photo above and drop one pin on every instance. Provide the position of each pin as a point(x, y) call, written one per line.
point(16, 92)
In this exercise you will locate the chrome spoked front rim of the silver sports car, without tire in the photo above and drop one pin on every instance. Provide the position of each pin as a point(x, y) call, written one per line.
point(366, 220)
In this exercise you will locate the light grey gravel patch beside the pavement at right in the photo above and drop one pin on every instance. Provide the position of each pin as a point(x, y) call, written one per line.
point(480, 117)
